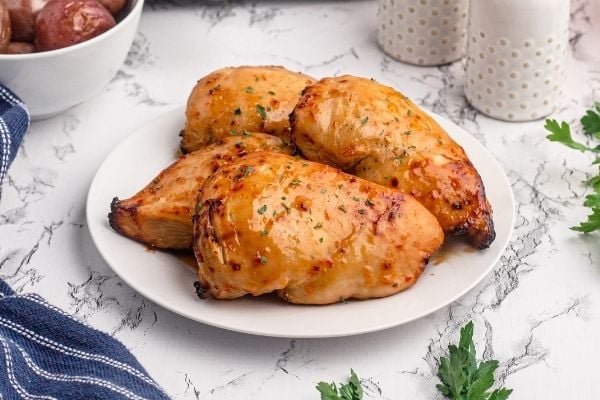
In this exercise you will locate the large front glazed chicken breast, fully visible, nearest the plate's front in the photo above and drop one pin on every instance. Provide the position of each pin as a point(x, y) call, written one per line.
point(315, 235)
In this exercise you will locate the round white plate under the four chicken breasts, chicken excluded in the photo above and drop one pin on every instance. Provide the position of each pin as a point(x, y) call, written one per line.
point(166, 280)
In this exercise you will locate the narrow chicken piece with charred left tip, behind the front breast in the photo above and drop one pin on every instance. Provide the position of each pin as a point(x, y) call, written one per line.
point(160, 215)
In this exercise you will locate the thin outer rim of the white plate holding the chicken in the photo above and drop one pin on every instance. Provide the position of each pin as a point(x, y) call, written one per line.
point(441, 120)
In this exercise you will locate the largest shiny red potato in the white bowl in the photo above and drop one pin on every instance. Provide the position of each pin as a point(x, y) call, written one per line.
point(63, 23)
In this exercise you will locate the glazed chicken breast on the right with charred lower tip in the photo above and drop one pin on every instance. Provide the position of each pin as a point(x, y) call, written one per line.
point(378, 134)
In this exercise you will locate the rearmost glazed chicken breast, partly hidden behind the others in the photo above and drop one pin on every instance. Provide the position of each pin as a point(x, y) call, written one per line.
point(241, 99)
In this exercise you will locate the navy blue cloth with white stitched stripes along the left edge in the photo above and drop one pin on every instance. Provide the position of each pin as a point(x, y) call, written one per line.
point(45, 353)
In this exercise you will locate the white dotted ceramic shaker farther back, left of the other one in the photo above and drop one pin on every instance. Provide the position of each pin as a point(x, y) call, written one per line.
point(423, 32)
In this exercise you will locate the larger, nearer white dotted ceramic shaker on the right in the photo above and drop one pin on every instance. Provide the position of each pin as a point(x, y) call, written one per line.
point(516, 56)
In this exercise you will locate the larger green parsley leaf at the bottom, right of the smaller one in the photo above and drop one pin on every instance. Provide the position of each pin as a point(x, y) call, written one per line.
point(462, 378)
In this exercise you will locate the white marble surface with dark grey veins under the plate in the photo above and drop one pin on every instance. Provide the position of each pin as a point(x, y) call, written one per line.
point(538, 313)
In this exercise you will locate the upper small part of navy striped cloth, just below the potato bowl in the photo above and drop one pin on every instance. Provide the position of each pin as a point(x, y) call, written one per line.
point(14, 121)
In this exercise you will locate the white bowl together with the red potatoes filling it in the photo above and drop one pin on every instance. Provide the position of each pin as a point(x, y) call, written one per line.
point(57, 53)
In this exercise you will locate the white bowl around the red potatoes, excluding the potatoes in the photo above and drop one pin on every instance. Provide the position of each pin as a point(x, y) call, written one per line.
point(53, 81)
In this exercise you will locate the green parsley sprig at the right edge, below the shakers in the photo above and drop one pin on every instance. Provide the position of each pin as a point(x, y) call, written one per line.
point(562, 133)
